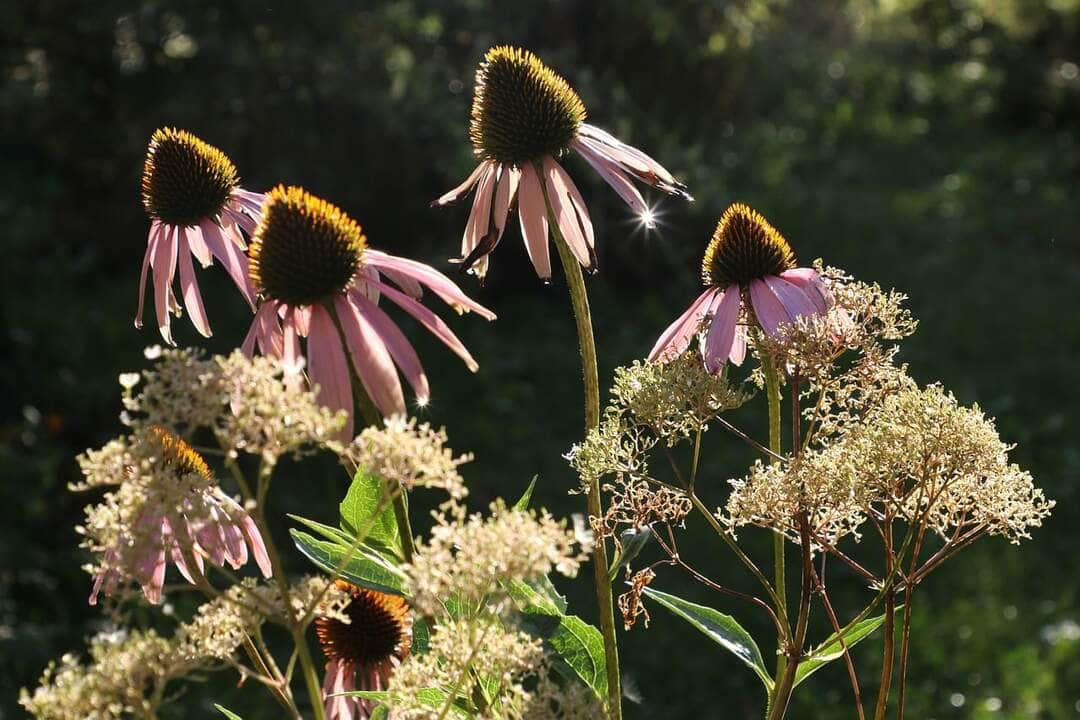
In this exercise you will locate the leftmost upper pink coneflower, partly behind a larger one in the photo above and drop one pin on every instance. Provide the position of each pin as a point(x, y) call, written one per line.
point(192, 193)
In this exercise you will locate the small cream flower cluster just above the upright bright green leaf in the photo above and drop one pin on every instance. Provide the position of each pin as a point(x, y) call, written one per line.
point(410, 455)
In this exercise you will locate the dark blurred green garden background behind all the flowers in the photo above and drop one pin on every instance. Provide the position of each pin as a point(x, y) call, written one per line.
point(928, 145)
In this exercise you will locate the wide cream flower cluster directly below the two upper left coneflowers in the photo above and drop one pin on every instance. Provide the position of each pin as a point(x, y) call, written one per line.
point(246, 402)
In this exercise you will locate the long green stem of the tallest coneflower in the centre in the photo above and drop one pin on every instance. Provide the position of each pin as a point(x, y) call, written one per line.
point(579, 300)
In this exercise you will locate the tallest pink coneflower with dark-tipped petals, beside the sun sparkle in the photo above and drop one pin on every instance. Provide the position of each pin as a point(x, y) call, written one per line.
point(524, 117)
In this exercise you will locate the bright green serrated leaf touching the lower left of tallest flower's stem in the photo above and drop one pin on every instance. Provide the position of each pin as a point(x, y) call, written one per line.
point(579, 647)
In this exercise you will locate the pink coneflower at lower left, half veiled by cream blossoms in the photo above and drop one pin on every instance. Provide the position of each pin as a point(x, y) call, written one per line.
point(168, 508)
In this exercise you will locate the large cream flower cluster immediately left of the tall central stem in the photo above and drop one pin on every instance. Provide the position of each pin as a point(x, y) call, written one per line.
point(470, 558)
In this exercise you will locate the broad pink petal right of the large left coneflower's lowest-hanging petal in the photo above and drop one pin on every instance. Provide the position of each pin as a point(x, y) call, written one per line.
point(370, 357)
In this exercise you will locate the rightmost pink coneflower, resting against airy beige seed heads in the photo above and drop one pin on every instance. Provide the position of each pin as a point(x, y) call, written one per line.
point(752, 280)
